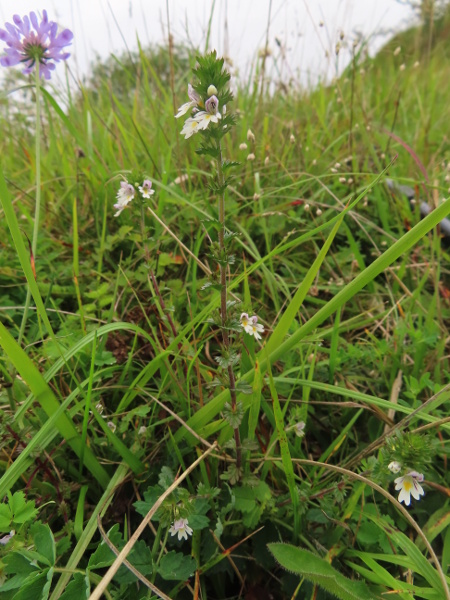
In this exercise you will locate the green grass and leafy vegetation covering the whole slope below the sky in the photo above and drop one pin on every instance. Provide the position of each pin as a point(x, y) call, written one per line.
point(116, 422)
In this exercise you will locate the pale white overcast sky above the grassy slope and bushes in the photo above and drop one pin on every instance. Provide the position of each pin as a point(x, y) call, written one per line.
point(303, 29)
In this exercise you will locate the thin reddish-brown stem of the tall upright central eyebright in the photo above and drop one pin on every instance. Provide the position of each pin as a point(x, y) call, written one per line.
point(223, 301)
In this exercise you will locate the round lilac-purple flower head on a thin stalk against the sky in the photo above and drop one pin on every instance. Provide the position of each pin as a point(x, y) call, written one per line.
point(32, 43)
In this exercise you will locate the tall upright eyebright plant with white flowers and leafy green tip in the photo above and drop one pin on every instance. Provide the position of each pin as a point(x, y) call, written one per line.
point(210, 118)
